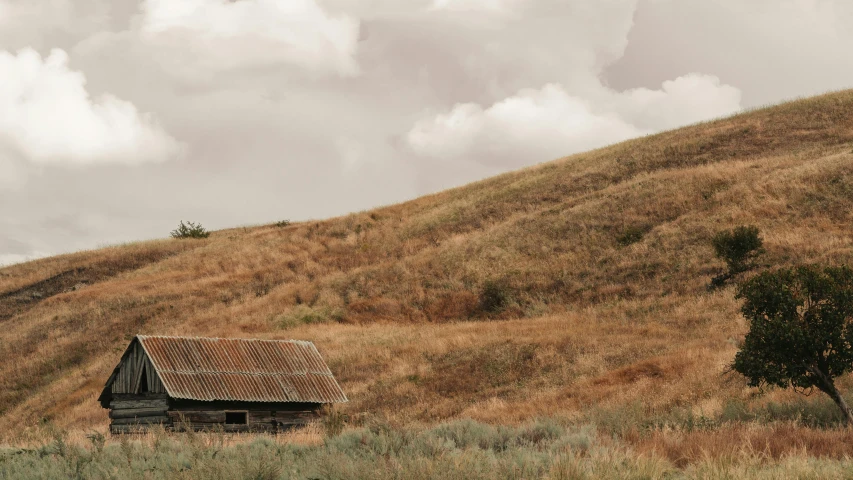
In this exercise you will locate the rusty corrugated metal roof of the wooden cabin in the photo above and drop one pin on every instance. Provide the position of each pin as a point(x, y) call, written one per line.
point(242, 369)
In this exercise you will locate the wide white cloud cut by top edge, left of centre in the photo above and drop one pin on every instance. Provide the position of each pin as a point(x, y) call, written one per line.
point(250, 33)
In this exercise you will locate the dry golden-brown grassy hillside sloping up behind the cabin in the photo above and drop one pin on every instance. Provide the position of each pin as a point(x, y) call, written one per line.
point(576, 288)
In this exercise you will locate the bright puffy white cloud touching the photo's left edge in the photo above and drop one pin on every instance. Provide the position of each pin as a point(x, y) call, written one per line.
point(47, 117)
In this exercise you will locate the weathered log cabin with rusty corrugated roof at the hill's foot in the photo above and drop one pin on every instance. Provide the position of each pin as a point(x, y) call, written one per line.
point(231, 385)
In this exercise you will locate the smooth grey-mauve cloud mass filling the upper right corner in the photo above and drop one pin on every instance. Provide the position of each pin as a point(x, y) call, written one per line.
point(771, 49)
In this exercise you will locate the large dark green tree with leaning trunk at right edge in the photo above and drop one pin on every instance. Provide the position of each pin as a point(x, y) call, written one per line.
point(800, 329)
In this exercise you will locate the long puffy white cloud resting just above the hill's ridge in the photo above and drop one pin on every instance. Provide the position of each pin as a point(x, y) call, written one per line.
point(537, 125)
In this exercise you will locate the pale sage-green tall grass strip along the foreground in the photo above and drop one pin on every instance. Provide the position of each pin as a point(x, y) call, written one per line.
point(462, 449)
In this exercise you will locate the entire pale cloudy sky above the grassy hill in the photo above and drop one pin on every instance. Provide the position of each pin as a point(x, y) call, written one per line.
point(119, 118)
